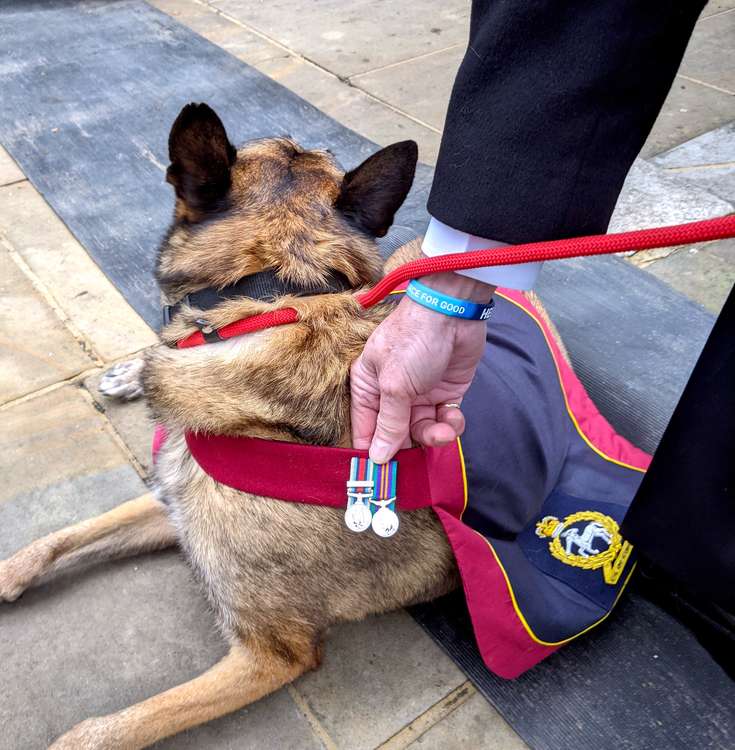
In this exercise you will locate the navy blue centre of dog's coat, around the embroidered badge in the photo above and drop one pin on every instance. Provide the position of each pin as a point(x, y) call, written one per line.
point(525, 460)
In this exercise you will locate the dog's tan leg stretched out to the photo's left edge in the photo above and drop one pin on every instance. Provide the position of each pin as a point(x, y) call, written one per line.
point(139, 525)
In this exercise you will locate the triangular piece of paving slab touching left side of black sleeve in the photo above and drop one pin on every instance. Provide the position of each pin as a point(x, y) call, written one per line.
point(420, 87)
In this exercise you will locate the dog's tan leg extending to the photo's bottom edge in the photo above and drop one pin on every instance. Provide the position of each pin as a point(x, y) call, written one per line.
point(243, 676)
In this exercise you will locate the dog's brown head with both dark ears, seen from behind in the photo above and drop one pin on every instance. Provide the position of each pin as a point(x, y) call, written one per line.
point(273, 204)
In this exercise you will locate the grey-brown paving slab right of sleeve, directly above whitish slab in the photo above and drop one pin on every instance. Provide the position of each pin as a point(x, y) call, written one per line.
point(689, 110)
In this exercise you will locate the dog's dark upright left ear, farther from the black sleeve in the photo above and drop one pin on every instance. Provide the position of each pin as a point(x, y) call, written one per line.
point(201, 158)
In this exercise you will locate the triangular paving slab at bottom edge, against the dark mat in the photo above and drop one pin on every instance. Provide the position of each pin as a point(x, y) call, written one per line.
point(475, 724)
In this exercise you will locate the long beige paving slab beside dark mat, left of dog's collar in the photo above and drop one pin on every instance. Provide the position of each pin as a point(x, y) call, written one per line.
point(79, 287)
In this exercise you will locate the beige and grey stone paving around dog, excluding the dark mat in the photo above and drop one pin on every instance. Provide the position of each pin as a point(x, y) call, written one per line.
point(92, 642)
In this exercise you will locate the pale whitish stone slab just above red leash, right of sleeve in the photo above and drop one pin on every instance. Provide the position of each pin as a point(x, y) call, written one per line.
point(652, 197)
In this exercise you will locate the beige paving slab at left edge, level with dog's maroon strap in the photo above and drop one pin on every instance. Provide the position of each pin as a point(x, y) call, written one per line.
point(51, 438)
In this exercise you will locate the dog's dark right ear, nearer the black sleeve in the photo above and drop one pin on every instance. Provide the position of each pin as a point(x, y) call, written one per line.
point(373, 192)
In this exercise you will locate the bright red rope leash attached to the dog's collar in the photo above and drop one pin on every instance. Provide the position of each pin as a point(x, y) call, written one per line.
point(575, 247)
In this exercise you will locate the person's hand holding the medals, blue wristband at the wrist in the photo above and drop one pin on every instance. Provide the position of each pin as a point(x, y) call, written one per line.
point(416, 361)
